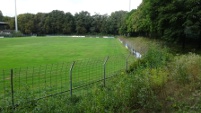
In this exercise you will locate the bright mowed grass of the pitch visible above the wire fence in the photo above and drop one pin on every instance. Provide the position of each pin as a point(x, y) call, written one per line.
point(25, 52)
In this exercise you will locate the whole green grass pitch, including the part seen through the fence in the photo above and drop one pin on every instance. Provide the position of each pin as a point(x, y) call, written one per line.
point(41, 65)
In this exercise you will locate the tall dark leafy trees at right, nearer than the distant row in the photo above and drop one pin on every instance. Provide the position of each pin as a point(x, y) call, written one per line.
point(177, 21)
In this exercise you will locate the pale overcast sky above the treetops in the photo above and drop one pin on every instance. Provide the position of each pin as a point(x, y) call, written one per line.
point(93, 6)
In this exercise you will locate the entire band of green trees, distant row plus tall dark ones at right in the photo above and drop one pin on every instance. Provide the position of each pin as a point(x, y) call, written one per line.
point(176, 21)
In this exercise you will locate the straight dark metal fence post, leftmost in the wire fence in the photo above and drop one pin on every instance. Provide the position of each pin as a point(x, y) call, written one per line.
point(12, 89)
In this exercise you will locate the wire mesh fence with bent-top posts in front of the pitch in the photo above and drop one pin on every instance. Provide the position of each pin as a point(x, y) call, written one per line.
point(20, 85)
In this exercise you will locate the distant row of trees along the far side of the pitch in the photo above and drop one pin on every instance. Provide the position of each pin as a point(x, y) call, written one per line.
point(58, 22)
